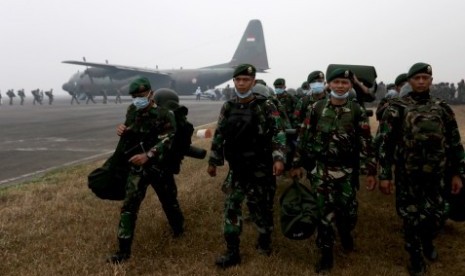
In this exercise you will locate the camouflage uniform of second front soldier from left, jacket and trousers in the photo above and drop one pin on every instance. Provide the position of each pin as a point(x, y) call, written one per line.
point(250, 157)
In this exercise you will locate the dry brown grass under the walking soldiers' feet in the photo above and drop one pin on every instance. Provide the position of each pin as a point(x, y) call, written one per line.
point(54, 225)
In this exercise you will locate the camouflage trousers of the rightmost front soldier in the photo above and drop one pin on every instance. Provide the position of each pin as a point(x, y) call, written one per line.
point(420, 204)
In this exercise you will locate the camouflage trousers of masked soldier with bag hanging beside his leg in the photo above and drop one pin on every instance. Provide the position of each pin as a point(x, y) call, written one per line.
point(336, 201)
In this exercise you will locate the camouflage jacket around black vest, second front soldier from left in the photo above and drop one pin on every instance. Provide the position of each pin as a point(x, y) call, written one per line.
point(270, 126)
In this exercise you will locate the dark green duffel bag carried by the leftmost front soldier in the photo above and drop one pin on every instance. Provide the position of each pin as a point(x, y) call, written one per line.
point(109, 181)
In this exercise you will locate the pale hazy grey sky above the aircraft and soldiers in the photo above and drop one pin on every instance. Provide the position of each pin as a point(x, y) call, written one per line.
point(300, 35)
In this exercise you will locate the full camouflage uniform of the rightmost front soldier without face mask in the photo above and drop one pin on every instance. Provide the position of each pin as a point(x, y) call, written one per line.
point(419, 179)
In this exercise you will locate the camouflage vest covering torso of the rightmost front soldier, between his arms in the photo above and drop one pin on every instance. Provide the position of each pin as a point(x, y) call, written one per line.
point(424, 138)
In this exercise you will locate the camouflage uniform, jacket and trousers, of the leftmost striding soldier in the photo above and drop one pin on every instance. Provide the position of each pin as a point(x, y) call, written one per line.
point(160, 121)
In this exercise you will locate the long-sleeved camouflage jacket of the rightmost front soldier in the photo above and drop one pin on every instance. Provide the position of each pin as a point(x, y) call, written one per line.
point(394, 142)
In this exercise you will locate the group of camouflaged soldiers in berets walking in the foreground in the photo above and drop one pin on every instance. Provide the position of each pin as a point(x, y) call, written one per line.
point(417, 146)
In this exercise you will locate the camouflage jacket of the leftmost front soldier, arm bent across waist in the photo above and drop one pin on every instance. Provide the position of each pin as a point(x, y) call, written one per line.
point(154, 128)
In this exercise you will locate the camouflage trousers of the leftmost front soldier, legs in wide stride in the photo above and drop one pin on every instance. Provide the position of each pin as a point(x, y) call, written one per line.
point(136, 187)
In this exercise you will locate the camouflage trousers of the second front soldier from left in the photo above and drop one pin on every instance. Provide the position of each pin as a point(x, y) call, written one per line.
point(258, 188)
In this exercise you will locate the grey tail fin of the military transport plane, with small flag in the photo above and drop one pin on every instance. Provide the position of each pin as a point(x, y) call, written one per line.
point(251, 48)
